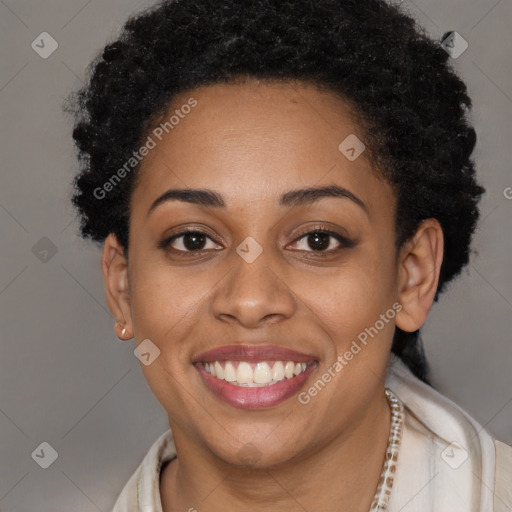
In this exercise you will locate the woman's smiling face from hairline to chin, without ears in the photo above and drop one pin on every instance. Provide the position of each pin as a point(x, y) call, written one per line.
point(276, 271)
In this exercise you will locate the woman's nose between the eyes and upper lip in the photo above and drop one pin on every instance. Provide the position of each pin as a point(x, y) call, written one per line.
point(253, 294)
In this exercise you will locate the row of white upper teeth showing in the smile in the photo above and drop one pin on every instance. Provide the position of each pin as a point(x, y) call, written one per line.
point(242, 373)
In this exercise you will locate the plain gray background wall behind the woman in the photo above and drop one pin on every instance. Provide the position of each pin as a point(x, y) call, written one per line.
point(67, 380)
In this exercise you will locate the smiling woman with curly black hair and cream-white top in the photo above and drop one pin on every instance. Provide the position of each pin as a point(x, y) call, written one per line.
point(282, 189)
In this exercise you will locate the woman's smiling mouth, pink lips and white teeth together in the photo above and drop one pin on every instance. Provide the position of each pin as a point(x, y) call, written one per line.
point(252, 377)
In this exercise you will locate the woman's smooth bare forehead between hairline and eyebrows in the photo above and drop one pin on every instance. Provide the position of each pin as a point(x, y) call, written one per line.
point(254, 140)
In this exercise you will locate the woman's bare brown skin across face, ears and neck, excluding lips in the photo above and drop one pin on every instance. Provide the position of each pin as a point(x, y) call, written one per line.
point(252, 142)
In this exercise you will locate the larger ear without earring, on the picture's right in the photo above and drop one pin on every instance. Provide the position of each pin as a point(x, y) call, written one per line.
point(418, 274)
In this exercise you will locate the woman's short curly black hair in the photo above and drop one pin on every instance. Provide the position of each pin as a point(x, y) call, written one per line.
point(410, 103)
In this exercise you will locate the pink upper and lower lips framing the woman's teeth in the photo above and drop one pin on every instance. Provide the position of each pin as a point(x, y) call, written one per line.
point(254, 397)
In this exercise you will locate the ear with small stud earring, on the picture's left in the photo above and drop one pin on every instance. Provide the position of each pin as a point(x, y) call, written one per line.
point(114, 267)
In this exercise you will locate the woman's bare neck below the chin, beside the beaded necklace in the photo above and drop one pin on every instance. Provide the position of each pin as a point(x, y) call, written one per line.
point(341, 474)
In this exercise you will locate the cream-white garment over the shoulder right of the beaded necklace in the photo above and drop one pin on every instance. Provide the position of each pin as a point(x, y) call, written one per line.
point(443, 445)
